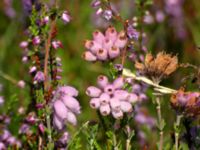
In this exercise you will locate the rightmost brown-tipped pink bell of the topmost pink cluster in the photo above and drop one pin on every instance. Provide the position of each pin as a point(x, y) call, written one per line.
point(121, 40)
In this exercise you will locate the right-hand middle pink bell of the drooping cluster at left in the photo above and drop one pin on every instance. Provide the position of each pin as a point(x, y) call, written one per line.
point(71, 103)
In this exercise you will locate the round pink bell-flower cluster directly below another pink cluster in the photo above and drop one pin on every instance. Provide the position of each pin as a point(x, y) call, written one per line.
point(110, 98)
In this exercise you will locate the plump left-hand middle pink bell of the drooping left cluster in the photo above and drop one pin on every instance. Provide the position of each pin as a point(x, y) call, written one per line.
point(60, 109)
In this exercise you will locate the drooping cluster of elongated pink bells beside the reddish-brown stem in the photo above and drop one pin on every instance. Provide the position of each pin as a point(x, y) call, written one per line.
point(65, 106)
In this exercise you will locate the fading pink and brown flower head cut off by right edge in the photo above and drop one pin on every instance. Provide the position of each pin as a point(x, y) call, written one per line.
point(186, 102)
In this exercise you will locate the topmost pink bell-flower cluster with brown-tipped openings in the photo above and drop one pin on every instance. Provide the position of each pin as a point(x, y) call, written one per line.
point(105, 46)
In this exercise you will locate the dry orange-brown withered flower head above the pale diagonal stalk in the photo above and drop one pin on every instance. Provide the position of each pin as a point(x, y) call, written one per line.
point(159, 67)
